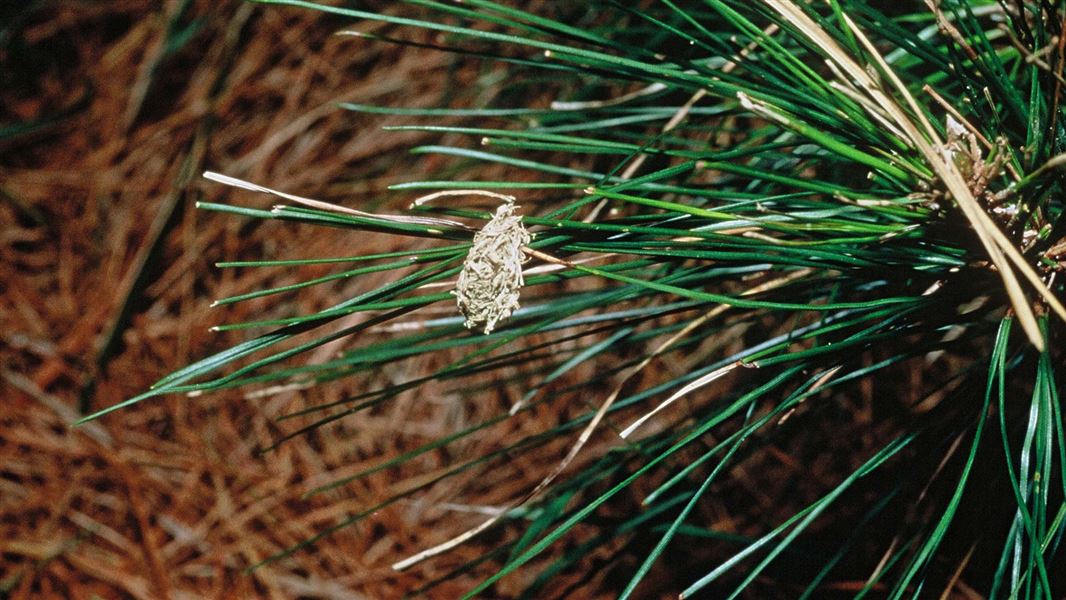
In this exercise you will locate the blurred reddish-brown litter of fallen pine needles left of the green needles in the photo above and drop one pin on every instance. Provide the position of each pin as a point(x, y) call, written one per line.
point(109, 115)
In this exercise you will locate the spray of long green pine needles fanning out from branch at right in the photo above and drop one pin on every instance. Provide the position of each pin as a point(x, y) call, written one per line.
point(812, 254)
